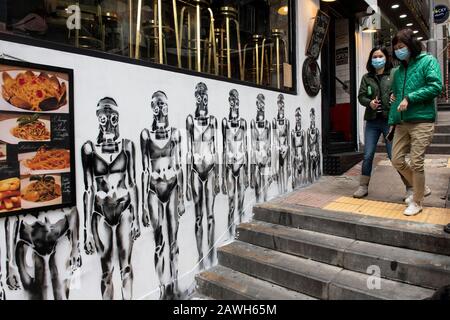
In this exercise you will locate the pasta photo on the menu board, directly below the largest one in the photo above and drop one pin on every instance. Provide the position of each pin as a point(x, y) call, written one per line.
point(25, 128)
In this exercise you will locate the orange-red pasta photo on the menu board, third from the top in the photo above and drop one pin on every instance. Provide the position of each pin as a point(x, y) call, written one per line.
point(45, 161)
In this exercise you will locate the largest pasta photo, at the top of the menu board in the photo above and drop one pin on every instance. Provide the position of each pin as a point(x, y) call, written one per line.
point(32, 91)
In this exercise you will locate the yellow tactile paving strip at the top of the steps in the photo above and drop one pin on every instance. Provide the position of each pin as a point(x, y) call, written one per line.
point(388, 210)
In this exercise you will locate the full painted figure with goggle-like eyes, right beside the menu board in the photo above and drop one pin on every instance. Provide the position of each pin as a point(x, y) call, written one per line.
point(110, 199)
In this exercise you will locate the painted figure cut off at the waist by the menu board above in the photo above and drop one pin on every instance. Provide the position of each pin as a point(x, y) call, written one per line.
point(52, 242)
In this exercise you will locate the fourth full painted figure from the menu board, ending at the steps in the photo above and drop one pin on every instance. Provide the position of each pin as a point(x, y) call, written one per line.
point(235, 179)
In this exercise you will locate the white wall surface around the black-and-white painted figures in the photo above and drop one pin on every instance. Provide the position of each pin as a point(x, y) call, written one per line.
point(132, 87)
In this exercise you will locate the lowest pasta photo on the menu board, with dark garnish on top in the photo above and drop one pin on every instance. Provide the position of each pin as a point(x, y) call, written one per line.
point(41, 190)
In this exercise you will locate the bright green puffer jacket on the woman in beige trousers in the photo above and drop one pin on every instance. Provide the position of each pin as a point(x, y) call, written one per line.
point(420, 83)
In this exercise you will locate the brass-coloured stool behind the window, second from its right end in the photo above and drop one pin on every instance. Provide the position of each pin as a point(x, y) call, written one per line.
point(257, 49)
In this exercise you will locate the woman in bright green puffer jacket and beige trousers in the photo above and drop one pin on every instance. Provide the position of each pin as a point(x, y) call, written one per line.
point(417, 82)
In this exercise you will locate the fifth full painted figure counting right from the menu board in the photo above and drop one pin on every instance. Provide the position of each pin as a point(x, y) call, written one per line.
point(261, 152)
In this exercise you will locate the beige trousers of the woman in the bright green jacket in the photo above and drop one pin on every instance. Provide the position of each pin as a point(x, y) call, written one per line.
point(413, 138)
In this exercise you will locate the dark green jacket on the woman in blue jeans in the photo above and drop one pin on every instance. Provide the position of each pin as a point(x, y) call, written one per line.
point(372, 87)
